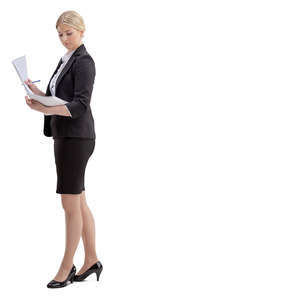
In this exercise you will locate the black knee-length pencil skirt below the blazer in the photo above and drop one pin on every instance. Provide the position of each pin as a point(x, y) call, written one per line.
point(71, 157)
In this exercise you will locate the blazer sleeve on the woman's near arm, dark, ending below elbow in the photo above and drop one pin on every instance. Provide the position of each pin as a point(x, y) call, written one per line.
point(84, 77)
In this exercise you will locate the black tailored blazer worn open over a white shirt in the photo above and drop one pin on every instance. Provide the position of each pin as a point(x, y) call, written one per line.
point(75, 85)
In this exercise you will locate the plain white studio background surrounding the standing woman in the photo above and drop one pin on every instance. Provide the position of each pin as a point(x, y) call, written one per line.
point(194, 181)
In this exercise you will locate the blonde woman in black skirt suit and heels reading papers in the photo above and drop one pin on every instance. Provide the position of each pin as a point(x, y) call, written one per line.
point(72, 127)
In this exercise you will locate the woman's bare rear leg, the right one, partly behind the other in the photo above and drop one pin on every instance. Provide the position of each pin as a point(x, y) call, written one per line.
point(88, 235)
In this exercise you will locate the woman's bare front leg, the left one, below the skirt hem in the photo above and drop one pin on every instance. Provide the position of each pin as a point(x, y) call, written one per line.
point(74, 223)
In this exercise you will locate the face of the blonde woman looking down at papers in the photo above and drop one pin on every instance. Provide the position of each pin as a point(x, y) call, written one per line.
point(69, 36)
